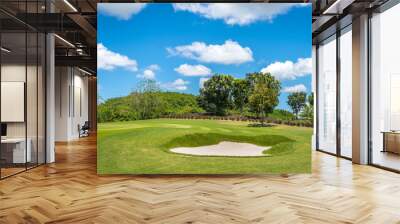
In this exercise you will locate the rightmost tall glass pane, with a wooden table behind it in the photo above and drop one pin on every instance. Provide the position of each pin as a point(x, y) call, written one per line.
point(385, 89)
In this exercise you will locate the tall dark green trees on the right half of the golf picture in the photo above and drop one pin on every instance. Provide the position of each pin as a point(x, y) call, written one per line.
point(257, 93)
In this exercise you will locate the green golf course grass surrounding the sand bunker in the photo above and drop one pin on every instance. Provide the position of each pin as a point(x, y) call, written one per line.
point(142, 147)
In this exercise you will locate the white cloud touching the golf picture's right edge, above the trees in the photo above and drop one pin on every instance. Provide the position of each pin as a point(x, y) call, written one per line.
point(290, 70)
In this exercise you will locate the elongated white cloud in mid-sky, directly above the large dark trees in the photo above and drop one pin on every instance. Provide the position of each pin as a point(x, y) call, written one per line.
point(228, 53)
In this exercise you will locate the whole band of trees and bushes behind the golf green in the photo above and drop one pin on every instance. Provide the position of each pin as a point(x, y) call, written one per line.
point(255, 95)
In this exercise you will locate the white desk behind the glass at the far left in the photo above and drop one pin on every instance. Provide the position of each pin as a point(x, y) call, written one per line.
point(19, 155)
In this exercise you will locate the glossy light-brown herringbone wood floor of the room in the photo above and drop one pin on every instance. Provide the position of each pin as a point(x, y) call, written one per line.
point(69, 191)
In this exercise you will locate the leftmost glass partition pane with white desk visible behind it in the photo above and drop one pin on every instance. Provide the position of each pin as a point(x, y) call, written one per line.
point(13, 110)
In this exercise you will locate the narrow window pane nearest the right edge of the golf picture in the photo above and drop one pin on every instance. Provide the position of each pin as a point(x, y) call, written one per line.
point(327, 95)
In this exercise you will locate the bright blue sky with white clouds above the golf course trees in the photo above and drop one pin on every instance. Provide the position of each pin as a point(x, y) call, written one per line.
point(180, 45)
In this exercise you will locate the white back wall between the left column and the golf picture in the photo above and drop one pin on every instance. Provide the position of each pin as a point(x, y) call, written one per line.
point(71, 94)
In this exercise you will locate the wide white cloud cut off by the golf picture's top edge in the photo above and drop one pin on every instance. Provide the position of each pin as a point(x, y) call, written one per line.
point(237, 14)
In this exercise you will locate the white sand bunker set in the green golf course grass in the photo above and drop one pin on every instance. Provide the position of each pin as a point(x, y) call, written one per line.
point(223, 149)
